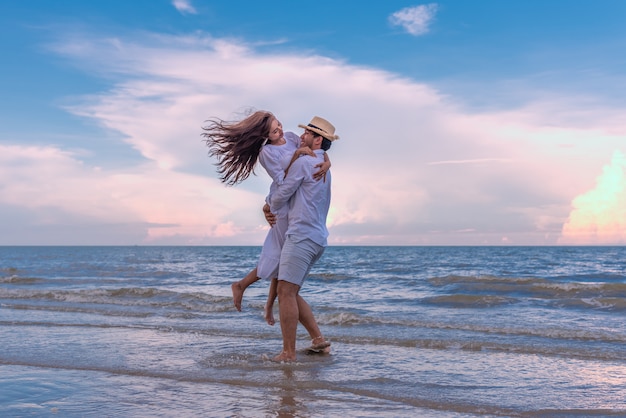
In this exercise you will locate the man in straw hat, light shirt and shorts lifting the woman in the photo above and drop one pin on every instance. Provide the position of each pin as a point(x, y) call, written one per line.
point(306, 236)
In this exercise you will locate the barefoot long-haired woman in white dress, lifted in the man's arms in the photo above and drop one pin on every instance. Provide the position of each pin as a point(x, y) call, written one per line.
point(238, 146)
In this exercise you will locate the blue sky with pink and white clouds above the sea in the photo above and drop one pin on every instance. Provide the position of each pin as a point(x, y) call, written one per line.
point(483, 122)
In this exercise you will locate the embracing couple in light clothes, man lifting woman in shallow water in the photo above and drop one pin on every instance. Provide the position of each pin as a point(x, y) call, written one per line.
point(296, 208)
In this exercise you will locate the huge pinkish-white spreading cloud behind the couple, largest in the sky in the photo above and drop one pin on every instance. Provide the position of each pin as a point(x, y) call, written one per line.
point(412, 166)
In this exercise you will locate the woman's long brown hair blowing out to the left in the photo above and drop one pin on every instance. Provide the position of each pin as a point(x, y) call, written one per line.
point(237, 145)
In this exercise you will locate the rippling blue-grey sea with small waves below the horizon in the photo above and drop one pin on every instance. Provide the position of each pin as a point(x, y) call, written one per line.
point(147, 331)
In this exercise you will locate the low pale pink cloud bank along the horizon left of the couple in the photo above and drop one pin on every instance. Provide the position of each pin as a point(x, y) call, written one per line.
point(53, 197)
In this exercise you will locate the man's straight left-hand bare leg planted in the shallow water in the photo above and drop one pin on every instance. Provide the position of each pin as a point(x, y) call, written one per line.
point(288, 303)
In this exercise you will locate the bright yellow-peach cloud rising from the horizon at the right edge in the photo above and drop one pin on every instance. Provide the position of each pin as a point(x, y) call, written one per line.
point(599, 215)
